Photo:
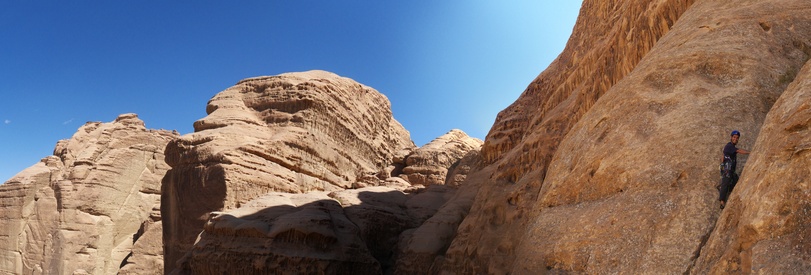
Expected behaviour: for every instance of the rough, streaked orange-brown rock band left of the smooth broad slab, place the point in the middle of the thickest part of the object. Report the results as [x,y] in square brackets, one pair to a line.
[608,41]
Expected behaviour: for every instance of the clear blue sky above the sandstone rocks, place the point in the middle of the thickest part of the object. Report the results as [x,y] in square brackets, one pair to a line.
[442,64]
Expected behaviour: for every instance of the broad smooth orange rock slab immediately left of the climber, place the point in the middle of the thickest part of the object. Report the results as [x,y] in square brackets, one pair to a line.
[631,186]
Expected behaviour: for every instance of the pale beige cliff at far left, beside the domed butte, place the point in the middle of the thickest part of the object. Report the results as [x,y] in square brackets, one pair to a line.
[89,208]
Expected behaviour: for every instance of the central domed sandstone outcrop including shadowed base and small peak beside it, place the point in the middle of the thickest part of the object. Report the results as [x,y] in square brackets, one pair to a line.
[298,133]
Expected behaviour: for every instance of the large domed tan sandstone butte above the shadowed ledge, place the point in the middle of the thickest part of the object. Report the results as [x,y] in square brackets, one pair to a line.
[292,133]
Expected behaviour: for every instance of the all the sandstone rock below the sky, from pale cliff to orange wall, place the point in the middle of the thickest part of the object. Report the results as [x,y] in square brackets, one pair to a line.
[607,163]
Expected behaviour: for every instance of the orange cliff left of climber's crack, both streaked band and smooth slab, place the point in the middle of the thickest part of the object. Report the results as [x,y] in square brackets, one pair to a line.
[609,165]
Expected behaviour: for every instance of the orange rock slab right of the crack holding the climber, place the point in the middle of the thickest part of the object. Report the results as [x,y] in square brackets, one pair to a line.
[766,228]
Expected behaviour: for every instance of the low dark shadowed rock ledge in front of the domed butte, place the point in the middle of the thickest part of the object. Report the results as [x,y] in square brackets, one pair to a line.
[342,232]
